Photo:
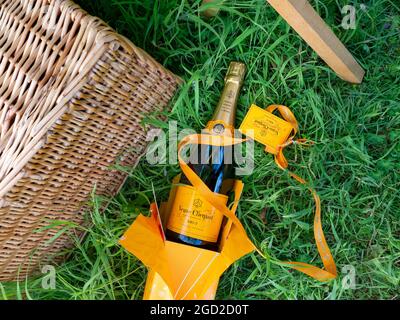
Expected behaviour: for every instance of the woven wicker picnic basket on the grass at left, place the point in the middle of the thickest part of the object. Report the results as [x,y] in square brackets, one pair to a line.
[72,97]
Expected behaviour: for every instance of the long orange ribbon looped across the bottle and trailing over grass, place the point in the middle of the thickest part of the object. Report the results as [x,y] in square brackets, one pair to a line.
[220,141]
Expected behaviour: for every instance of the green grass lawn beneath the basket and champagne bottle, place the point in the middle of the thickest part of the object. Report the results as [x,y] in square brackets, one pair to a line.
[354,164]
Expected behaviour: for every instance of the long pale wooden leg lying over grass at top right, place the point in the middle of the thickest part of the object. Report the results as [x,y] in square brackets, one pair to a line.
[302,17]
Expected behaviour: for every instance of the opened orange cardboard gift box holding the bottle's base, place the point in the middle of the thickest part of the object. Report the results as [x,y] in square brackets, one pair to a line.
[178,271]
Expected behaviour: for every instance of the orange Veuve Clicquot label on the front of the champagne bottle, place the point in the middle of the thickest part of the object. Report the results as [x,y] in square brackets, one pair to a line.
[192,216]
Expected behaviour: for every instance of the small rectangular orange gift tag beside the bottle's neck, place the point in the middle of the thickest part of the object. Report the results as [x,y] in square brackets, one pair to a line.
[266,128]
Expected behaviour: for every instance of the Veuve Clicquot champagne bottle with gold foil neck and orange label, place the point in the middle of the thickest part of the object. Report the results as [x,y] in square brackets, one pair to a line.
[192,220]
